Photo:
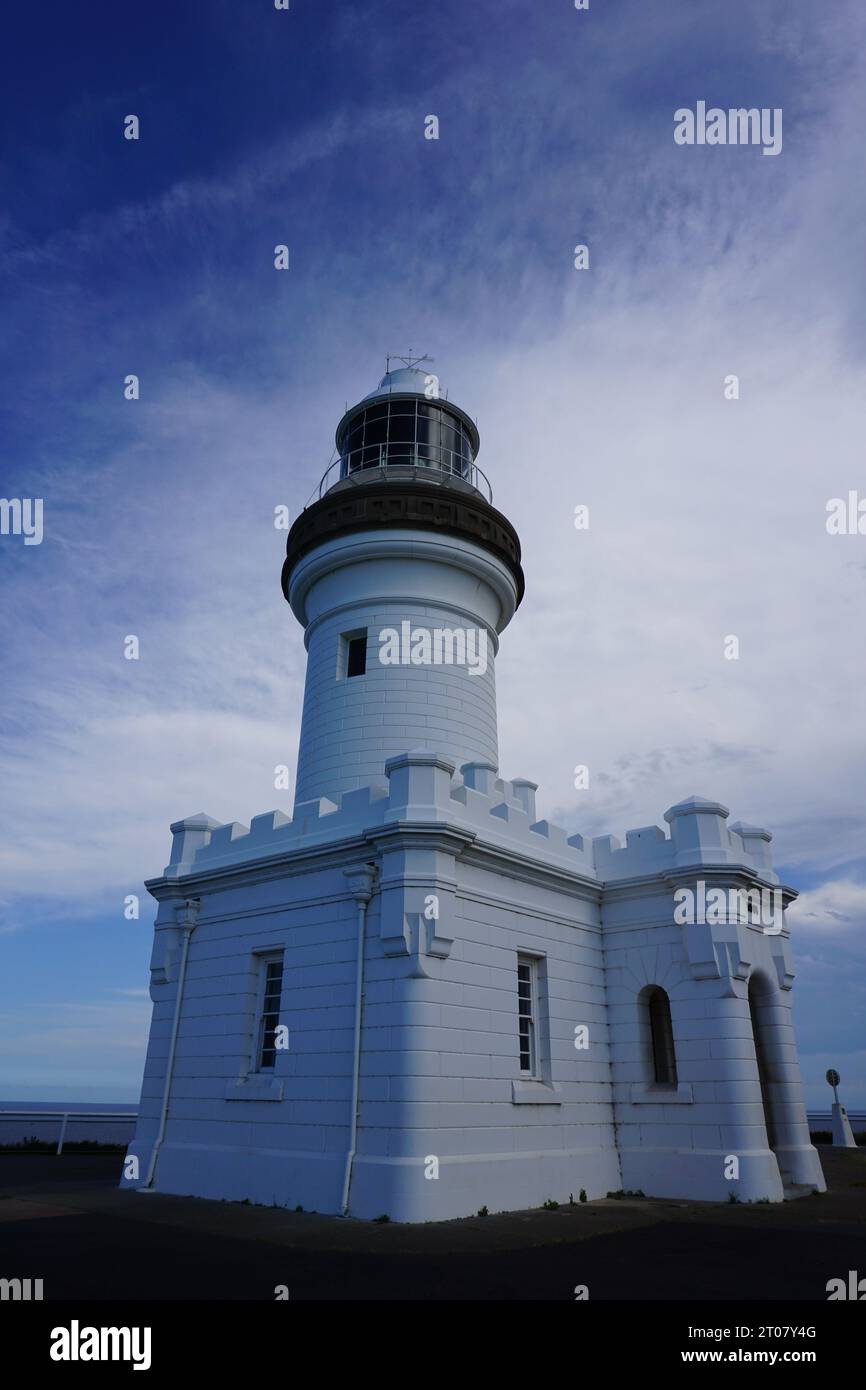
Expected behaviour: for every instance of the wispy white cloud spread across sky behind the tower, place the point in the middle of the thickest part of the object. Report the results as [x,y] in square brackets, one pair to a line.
[708,516]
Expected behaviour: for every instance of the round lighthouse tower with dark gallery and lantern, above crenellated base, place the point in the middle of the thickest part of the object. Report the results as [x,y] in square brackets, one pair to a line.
[404,546]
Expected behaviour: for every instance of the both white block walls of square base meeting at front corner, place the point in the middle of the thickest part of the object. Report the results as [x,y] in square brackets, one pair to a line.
[440,1058]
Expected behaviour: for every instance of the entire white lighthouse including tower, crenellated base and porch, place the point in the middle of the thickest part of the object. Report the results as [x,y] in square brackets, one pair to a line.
[408,993]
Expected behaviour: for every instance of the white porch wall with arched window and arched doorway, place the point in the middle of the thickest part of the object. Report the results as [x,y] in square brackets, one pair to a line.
[675,1143]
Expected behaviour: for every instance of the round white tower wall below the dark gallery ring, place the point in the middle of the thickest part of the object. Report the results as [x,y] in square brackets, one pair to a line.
[377,582]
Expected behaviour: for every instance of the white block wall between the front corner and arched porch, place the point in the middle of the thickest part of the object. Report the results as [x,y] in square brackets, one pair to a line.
[457,1053]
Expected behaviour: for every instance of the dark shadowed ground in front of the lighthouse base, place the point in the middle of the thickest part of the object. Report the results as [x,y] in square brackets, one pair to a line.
[65,1221]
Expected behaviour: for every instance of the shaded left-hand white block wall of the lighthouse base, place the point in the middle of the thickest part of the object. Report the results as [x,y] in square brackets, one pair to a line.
[288,1149]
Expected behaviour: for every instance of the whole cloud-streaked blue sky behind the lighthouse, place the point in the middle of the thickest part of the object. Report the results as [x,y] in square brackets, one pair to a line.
[603,389]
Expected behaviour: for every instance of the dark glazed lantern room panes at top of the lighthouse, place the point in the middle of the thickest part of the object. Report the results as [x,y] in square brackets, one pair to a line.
[416,433]
